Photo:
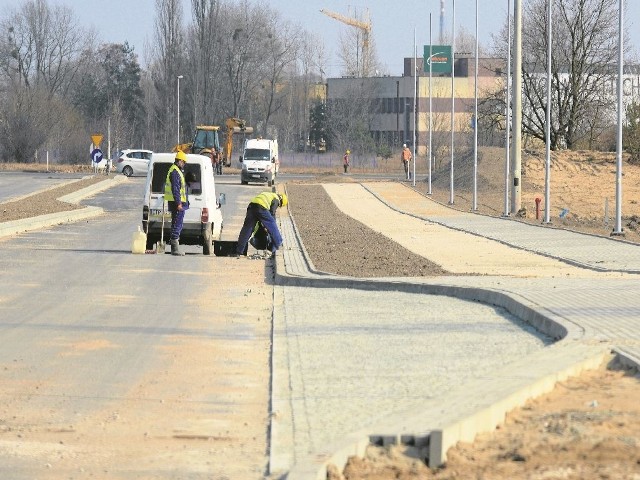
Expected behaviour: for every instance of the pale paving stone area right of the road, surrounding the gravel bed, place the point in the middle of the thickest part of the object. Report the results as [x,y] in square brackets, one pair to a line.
[353,357]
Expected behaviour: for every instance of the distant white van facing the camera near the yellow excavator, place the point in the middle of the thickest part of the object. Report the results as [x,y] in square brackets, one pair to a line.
[259,161]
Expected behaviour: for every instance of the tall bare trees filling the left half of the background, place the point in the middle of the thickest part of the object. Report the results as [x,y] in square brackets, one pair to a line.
[58,83]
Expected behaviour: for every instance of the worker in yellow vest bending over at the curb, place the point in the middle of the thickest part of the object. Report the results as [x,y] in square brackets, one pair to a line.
[262,208]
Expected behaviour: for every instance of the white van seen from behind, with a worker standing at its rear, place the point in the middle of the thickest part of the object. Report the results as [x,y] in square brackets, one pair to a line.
[202,220]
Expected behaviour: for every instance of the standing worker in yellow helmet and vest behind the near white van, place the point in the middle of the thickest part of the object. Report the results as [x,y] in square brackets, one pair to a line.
[175,192]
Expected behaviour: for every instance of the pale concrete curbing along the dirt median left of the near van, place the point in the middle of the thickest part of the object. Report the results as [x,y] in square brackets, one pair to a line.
[69,216]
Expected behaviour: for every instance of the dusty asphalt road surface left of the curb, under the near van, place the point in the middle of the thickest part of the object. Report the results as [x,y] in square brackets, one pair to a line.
[117,364]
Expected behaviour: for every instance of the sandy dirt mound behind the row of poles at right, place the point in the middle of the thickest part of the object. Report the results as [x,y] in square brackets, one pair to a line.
[582,190]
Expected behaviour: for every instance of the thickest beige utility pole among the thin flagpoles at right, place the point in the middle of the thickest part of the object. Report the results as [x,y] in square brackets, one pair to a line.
[516,153]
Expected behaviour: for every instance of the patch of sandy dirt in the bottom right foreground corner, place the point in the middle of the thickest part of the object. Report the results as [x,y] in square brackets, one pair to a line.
[587,428]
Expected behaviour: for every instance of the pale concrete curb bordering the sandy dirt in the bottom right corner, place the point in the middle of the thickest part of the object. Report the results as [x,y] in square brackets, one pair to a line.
[439,425]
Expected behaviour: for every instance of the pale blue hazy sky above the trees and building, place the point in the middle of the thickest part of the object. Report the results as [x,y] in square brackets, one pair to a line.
[393,22]
